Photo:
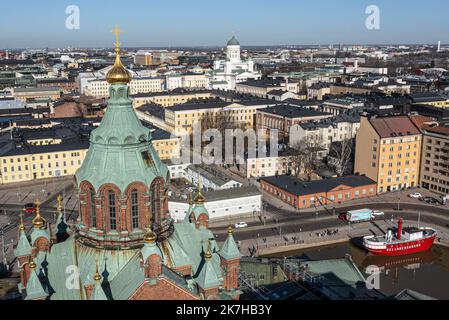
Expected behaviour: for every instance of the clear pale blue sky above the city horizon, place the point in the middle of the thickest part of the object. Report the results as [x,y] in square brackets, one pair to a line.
[193,24]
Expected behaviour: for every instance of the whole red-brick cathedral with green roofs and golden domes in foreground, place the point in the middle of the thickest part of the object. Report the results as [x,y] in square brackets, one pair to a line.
[125,245]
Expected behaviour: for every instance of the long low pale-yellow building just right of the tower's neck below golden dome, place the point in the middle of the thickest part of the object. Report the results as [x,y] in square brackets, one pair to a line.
[168,99]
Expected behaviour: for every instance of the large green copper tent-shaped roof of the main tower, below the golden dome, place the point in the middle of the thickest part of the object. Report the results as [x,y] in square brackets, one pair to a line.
[121,151]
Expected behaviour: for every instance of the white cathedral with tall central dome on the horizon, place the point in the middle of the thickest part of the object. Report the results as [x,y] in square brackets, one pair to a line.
[227,73]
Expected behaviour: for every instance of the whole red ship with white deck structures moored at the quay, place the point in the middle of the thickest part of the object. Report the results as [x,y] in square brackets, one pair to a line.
[401,241]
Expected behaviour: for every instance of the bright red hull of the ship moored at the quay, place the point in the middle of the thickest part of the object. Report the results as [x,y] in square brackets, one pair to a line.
[401,248]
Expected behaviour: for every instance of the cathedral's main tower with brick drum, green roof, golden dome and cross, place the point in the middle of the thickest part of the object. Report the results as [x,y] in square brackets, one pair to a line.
[122,181]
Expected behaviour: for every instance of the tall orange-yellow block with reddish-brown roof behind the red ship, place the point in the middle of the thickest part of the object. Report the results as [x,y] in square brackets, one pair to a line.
[388,150]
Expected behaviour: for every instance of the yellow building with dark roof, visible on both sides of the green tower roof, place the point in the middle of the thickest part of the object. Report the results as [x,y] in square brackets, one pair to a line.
[59,151]
